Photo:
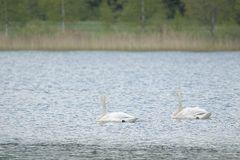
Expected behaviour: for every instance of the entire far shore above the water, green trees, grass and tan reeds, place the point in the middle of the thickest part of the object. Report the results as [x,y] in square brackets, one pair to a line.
[202,22]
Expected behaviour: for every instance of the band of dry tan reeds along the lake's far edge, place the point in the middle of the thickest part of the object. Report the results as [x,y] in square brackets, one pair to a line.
[169,41]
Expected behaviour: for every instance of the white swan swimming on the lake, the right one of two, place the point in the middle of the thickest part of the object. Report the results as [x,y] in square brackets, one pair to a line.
[189,112]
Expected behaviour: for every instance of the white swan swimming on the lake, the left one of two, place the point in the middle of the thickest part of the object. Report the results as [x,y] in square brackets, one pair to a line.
[114,116]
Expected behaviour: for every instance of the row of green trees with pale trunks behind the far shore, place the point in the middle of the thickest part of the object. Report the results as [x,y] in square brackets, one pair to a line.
[135,12]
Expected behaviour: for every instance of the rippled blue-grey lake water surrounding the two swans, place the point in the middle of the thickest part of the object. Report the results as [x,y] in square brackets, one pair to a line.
[49,102]
